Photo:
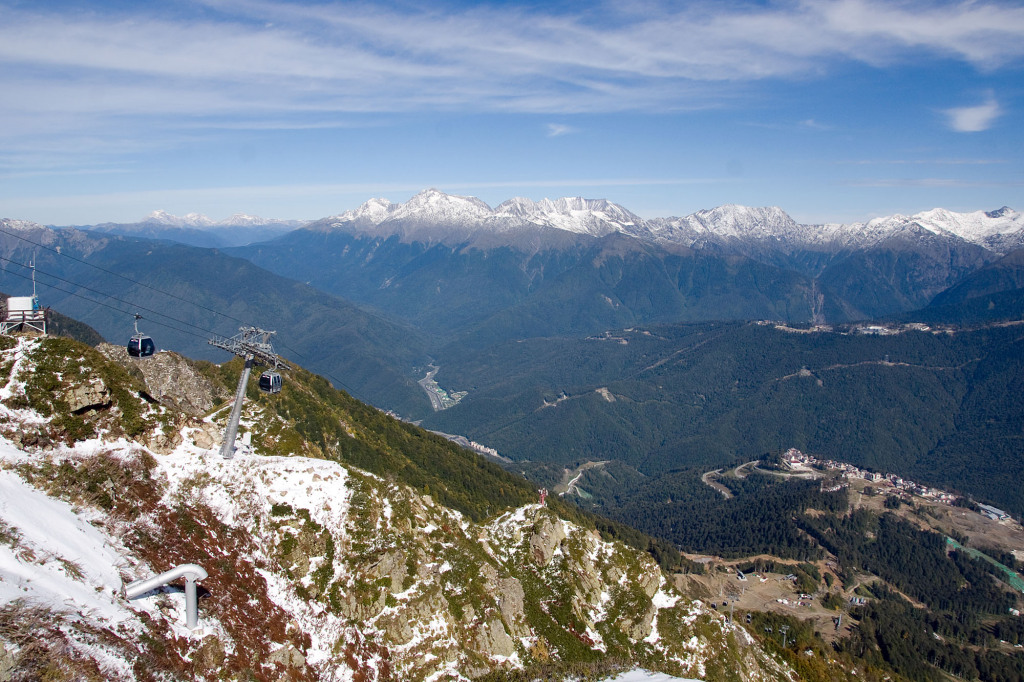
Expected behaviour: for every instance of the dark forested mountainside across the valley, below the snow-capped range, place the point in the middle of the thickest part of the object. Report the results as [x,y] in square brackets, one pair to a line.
[940,407]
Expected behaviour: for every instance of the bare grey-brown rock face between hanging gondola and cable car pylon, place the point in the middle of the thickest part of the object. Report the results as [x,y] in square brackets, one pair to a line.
[170,379]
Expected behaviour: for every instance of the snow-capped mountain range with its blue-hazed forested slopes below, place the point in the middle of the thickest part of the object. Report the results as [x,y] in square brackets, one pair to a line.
[457,268]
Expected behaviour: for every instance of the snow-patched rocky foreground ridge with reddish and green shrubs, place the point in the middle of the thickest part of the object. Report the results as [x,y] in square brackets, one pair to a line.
[318,571]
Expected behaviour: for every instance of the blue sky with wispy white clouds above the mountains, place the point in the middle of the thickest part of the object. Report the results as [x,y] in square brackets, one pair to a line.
[835,111]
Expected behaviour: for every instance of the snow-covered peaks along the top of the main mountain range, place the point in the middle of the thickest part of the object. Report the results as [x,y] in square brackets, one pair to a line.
[437,217]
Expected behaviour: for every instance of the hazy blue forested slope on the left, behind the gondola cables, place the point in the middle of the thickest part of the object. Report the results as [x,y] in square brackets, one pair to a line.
[187,294]
